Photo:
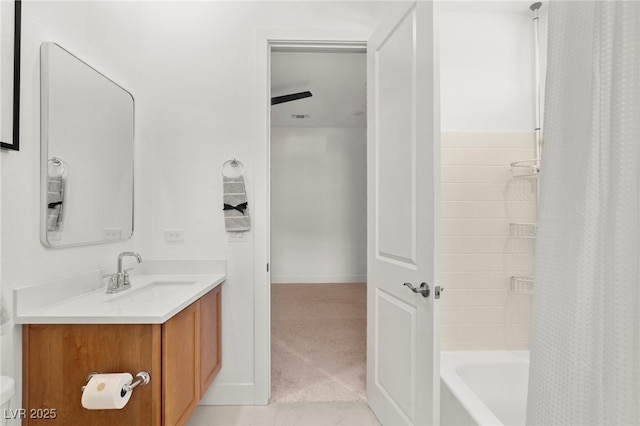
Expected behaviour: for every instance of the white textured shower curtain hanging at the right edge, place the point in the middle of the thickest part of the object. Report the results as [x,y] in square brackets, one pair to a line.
[585,347]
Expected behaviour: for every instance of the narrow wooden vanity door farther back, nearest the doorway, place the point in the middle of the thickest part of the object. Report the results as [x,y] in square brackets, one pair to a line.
[210,338]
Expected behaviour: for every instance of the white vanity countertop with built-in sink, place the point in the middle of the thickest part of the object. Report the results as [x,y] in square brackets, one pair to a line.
[157,293]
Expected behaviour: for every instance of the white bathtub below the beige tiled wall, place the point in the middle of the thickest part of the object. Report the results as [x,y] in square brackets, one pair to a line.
[483,388]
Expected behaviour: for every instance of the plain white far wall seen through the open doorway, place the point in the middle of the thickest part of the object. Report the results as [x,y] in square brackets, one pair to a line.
[318,205]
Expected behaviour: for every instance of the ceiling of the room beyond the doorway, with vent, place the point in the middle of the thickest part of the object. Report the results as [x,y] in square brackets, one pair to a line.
[336,79]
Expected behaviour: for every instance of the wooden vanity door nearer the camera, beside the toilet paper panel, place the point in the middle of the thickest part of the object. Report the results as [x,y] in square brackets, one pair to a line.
[180,365]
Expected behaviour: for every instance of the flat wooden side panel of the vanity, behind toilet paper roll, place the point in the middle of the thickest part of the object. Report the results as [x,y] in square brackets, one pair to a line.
[57,358]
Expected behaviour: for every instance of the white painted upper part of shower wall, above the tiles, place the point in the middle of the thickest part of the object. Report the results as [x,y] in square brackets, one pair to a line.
[486,54]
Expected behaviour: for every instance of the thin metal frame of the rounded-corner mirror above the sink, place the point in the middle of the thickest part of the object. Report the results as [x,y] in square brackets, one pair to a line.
[44,162]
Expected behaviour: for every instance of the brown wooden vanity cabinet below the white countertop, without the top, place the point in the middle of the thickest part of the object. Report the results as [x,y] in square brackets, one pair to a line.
[182,356]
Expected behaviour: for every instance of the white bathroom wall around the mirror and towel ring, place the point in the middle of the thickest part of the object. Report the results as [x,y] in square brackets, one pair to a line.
[192,69]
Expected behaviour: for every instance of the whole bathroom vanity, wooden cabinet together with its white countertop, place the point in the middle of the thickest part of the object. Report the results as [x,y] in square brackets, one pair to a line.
[168,325]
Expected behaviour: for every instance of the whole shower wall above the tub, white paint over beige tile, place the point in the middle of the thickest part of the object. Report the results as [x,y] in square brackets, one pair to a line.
[487,97]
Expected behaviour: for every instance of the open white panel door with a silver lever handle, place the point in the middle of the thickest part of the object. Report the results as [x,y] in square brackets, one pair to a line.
[403,348]
